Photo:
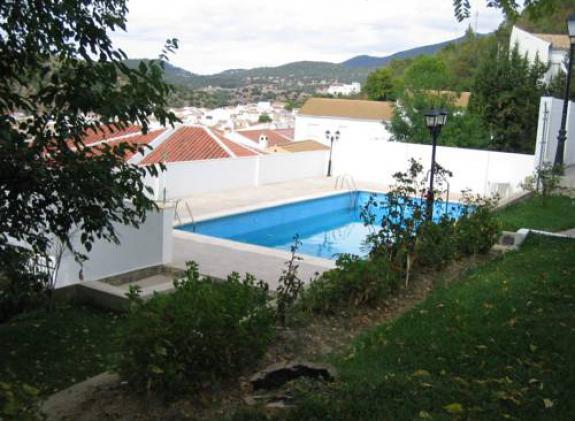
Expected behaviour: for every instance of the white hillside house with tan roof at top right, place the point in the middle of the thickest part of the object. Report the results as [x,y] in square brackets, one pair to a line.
[551,49]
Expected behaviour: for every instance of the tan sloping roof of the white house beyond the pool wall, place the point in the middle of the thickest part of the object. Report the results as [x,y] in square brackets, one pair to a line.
[348,108]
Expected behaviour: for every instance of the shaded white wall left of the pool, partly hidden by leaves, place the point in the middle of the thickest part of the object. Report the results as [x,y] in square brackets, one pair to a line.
[149,245]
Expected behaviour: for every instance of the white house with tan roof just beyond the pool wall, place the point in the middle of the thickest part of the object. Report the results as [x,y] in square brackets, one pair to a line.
[356,120]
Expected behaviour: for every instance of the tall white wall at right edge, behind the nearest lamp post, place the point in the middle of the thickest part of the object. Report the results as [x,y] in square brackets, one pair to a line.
[550,111]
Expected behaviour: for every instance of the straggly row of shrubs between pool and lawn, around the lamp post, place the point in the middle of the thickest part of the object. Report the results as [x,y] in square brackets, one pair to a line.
[405,241]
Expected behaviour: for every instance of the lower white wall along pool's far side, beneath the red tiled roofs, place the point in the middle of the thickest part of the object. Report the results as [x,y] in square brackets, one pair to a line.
[183,179]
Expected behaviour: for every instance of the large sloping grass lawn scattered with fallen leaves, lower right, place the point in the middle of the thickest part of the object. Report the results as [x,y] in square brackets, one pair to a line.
[500,344]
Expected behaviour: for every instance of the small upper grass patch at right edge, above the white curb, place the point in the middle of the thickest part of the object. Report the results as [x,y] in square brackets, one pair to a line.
[556,215]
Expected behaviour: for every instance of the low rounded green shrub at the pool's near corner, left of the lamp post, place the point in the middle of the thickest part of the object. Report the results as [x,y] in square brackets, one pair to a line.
[354,281]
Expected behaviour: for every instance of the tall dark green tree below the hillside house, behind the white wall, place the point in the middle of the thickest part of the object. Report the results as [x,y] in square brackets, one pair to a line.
[506,95]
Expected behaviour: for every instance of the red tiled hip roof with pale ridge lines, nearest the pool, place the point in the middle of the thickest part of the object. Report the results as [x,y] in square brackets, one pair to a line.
[194,144]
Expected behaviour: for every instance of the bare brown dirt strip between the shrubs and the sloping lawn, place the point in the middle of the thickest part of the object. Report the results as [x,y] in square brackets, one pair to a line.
[311,340]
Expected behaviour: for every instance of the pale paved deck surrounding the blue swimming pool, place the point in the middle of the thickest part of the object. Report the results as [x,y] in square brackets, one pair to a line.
[218,258]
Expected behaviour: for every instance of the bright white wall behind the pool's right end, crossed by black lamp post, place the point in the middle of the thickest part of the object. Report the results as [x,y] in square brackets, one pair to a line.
[478,170]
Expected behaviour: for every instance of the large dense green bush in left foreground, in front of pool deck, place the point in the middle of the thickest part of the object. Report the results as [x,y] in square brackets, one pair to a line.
[203,332]
